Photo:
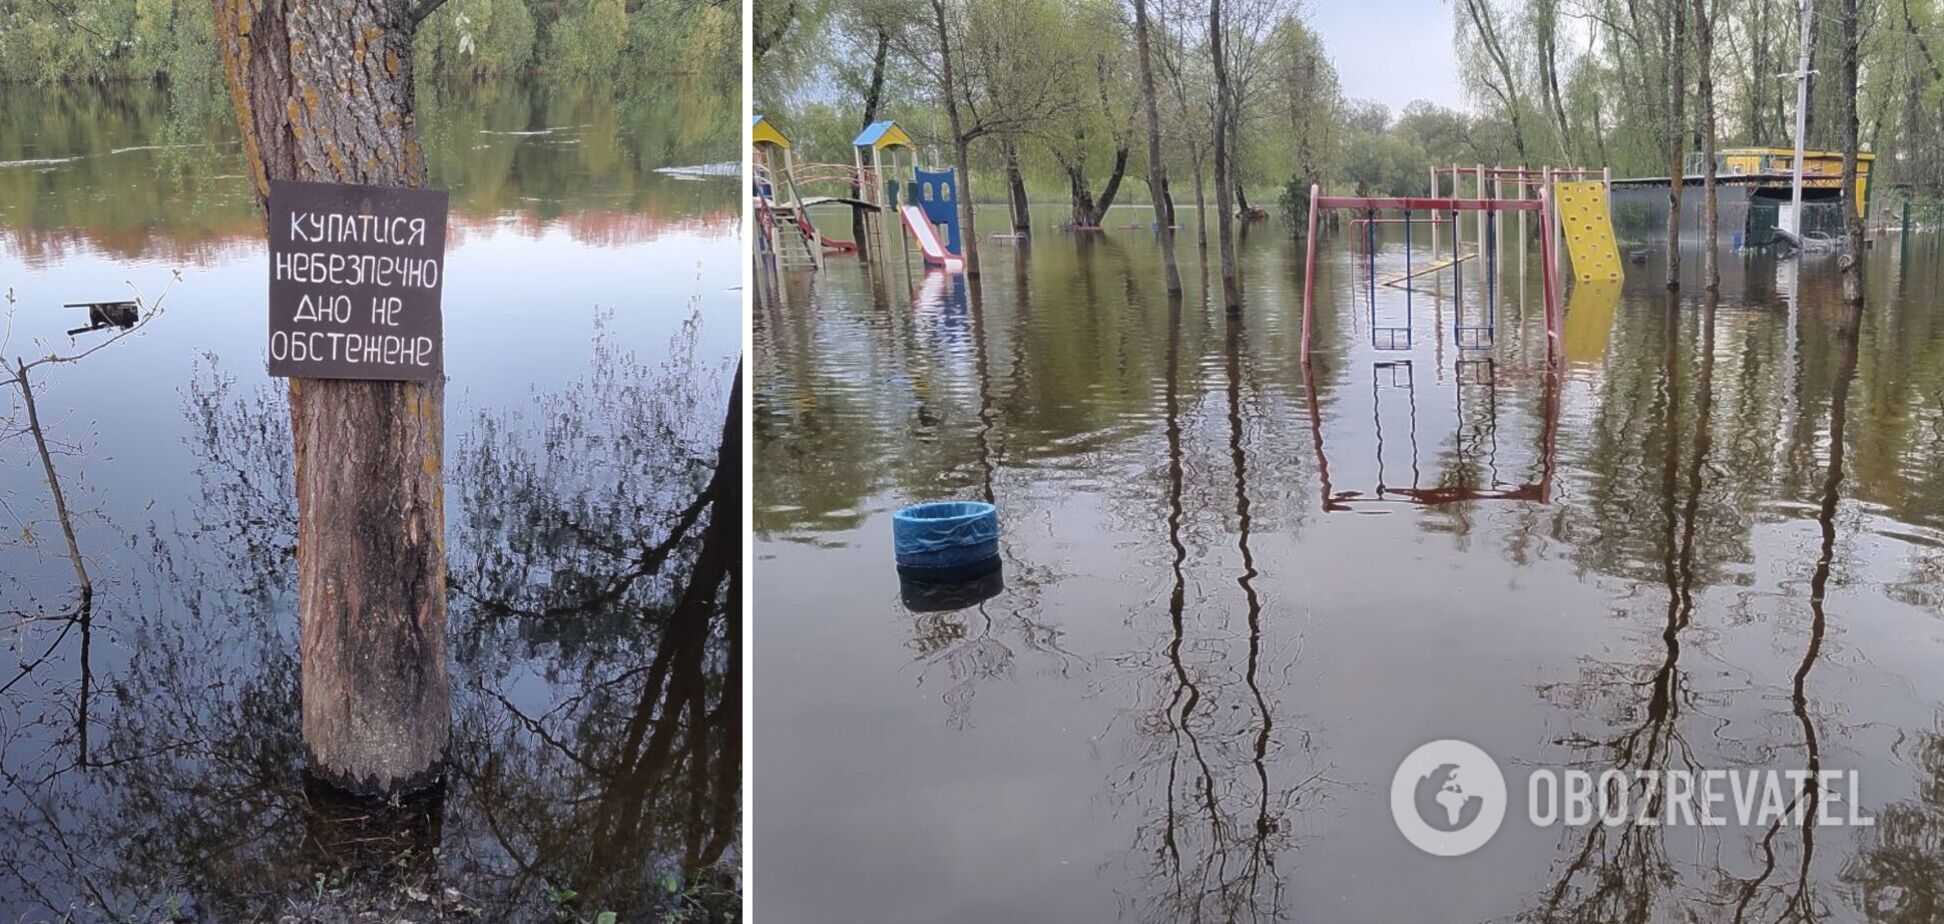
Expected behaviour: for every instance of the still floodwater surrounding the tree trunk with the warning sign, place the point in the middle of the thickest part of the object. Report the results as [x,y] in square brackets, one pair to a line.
[151,744]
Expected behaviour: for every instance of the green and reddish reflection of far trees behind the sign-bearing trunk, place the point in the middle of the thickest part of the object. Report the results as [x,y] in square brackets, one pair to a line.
[596,174]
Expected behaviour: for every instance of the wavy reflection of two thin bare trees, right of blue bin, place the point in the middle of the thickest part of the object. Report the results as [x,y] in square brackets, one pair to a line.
[1206,760]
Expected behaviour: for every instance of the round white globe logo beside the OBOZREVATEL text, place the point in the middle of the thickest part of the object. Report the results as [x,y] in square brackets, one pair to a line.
[1447,799]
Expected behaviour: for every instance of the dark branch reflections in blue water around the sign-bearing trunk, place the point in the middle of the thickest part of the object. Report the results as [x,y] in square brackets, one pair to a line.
[596,740]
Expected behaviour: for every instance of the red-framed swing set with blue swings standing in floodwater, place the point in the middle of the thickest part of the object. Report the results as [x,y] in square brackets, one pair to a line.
[1476,336]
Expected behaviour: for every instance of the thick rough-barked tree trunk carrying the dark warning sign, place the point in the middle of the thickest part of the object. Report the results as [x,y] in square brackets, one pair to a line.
[324,92]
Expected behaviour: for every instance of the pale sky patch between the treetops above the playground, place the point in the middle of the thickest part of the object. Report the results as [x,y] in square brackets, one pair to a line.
[1391,52]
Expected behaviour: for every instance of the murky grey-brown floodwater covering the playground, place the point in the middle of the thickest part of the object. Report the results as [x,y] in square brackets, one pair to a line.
[1237,590]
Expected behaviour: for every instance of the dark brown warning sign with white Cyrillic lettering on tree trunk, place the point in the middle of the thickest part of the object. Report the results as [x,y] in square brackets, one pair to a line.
[355,281]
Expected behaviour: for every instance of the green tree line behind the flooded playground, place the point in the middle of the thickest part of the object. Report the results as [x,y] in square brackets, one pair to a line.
[1237,96]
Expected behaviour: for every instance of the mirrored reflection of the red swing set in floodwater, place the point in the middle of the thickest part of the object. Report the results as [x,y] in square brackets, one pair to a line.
[1476,439]
